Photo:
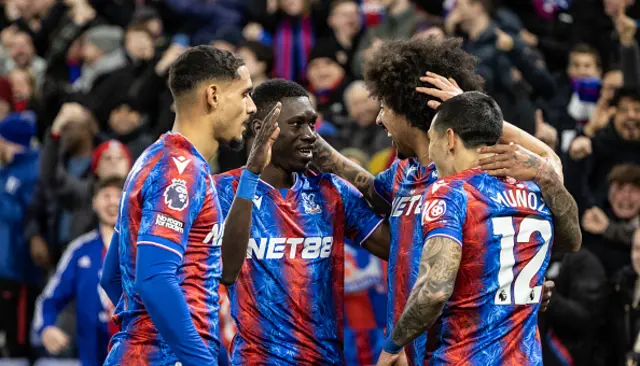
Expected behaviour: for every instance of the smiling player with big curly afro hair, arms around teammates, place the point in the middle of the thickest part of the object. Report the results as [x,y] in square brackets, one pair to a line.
[405,77]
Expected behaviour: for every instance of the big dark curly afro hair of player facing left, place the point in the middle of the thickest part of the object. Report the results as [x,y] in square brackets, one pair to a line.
[394,72]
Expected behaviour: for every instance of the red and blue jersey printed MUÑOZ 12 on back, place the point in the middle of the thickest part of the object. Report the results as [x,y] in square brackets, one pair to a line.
[506,231]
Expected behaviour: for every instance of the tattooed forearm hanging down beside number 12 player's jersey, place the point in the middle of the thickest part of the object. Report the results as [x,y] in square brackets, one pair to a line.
[438,270]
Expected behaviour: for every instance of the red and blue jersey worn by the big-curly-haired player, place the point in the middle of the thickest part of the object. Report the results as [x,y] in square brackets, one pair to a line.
[402,186]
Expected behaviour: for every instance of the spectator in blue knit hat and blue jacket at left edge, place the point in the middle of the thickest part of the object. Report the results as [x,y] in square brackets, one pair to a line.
[18,275]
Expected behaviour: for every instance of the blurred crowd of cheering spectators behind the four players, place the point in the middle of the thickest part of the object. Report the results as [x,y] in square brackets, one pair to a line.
[83,92]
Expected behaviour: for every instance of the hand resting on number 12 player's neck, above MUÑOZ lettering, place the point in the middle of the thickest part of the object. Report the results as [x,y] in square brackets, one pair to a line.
[512,161]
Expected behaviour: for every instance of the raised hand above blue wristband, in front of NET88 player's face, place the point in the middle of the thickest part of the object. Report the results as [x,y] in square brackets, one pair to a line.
[260,154]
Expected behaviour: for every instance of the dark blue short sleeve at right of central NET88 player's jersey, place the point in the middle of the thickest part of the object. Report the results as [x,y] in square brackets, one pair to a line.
[360,219]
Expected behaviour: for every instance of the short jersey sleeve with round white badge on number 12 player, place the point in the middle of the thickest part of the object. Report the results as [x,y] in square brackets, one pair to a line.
[444,211]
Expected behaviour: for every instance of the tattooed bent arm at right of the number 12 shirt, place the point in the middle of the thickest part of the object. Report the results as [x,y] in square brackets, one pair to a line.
[568,236]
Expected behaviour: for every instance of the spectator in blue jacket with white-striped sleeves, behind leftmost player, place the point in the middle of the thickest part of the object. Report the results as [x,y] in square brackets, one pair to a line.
[77,278]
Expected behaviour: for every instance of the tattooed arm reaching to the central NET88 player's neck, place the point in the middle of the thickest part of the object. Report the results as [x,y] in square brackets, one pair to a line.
[329,160]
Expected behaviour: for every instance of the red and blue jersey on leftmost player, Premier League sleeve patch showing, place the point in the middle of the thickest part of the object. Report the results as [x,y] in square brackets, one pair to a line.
[168,201]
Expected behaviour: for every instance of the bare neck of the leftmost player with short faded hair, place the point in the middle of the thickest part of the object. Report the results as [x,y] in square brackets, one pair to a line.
[191,128]
